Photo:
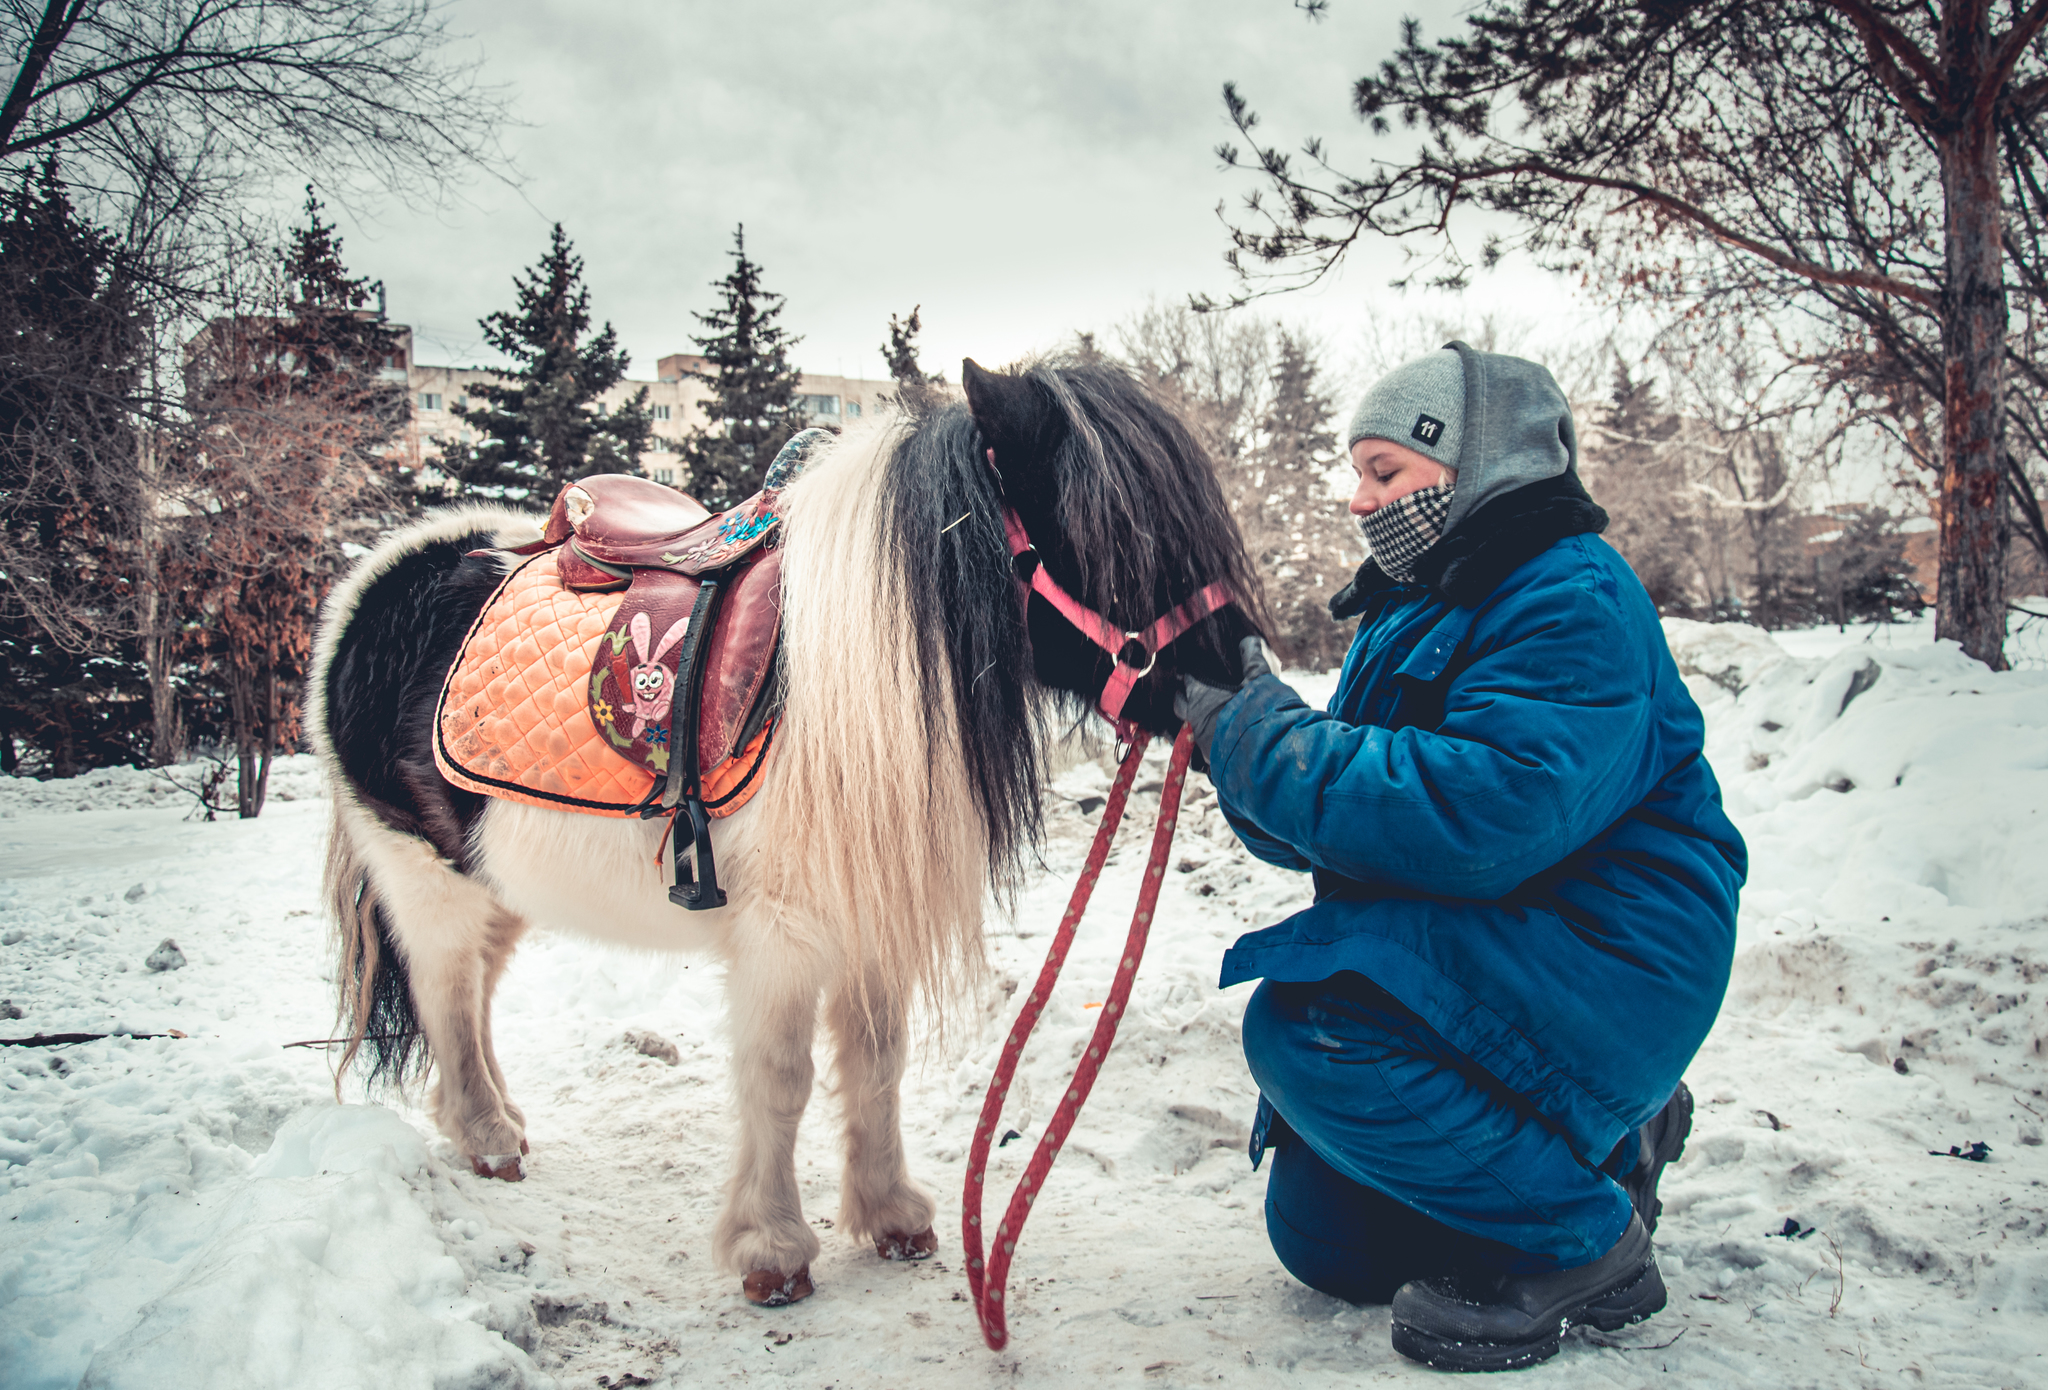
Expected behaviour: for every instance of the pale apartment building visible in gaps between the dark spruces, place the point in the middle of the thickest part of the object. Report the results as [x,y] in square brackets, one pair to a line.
[675,398]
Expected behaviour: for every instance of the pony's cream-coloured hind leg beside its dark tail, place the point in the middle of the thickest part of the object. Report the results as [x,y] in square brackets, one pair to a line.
[456,939]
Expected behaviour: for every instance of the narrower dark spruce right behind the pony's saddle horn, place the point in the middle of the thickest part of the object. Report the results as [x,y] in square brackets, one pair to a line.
[753,388]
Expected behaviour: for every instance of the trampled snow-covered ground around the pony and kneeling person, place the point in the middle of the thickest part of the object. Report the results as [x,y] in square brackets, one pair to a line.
[202,1213]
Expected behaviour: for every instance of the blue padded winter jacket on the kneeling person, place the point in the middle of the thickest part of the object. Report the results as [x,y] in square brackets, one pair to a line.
[1508,816]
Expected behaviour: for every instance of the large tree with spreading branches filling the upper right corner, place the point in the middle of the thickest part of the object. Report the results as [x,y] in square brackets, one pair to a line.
[1867,179]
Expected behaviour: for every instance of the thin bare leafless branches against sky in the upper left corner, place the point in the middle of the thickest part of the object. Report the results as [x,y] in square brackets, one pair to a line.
[200,97]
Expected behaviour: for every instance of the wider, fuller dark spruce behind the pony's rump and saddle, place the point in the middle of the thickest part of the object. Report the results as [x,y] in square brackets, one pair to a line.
[544,427]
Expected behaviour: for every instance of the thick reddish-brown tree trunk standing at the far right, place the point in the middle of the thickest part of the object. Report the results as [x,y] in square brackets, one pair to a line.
[1971,599]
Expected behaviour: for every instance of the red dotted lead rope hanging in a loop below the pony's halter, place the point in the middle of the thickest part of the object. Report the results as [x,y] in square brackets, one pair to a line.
[988,1287]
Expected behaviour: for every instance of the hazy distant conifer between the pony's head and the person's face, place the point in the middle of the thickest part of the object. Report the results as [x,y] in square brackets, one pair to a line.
[1295,527]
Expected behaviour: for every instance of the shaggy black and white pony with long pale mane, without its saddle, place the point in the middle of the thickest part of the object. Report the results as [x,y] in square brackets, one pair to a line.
[902,787]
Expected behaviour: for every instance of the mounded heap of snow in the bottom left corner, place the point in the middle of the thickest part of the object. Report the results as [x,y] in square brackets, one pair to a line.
[337,1258]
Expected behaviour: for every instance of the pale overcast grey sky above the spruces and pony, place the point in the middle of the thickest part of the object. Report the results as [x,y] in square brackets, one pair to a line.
[1021,171]
